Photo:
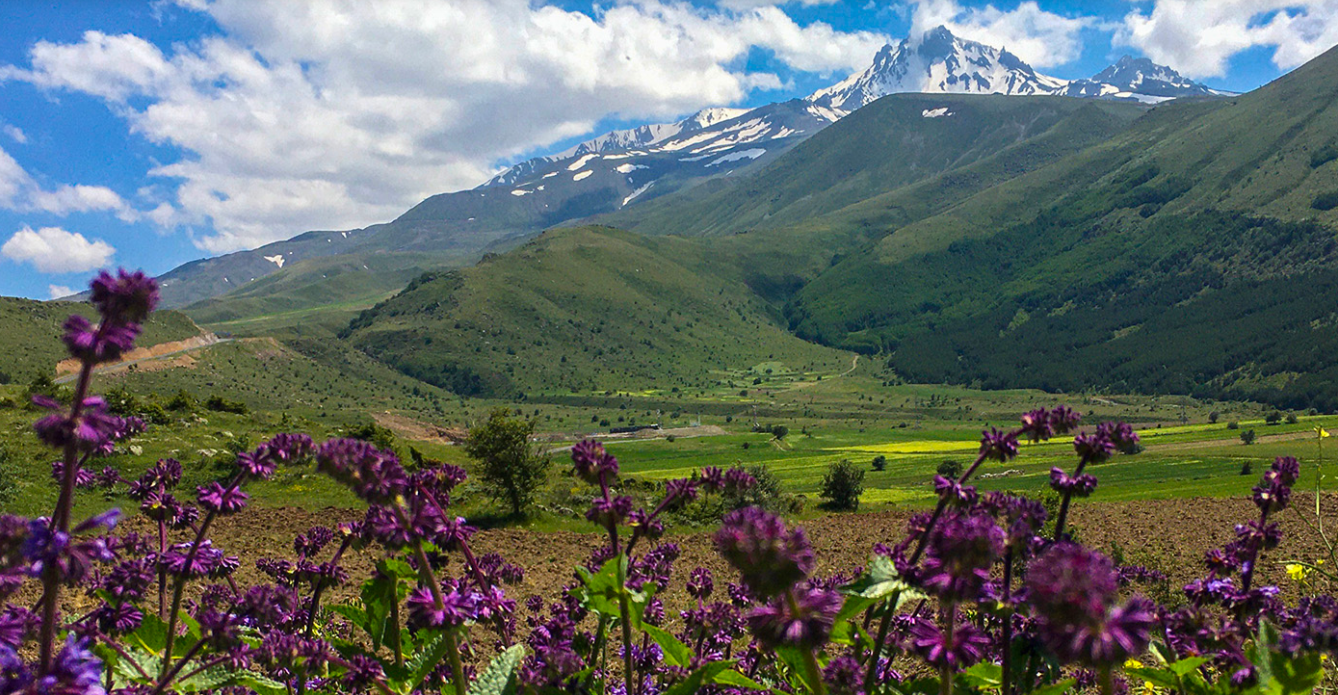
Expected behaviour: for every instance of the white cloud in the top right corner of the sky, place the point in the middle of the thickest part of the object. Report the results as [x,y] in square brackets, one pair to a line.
[1200,37]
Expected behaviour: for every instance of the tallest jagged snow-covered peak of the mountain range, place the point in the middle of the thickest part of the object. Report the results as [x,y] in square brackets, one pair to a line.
[937,62]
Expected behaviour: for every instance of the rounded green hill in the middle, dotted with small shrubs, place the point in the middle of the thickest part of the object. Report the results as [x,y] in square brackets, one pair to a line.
[584,310]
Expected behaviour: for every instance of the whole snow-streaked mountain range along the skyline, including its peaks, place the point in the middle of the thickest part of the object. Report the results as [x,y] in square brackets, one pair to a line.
[630,167]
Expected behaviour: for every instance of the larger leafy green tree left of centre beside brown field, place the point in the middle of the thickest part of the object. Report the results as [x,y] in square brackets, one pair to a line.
[509,465]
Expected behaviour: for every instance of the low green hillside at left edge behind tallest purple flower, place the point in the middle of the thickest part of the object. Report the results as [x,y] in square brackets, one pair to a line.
[30,335]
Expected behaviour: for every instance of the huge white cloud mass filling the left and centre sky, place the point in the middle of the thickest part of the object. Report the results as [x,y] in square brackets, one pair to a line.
[314,114]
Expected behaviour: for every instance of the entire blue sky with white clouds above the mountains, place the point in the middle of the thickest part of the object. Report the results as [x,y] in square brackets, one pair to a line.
[156,133]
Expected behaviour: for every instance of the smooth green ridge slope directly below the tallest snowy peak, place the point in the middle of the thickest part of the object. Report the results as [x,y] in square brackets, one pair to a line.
[886,147]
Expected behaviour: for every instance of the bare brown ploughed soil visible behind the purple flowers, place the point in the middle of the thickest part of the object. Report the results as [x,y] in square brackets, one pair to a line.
[1170,536]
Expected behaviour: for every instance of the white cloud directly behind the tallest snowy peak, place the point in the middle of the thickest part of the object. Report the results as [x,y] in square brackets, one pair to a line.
[1040,38]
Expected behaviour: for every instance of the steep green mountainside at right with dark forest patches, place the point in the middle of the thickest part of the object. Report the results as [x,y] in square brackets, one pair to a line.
[1194,252]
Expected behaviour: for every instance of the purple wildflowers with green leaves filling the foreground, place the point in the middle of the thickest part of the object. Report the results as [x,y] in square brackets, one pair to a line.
[973,581]
